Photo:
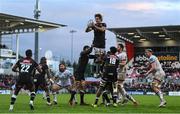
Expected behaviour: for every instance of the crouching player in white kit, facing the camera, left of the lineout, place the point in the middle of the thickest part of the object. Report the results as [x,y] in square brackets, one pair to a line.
[63,79]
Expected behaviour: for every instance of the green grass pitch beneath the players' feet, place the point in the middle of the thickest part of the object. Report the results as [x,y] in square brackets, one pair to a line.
[148,104]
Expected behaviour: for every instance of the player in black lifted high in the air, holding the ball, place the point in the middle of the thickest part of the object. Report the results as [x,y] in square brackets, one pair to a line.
[99,29]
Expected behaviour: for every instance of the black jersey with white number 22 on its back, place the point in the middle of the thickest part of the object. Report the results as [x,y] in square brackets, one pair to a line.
[26,66]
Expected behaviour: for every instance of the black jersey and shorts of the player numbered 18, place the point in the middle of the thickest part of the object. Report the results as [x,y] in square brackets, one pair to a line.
[110,68]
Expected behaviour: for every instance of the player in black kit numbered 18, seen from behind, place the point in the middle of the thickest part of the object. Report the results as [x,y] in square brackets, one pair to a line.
[109,77]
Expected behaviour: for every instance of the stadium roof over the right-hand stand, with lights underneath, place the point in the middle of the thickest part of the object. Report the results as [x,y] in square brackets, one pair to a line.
[137,34]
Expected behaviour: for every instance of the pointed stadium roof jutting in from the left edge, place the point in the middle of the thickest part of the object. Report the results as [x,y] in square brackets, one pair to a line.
[10,24]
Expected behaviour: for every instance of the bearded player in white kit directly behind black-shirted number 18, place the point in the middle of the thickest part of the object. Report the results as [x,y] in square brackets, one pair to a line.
[122,74]
